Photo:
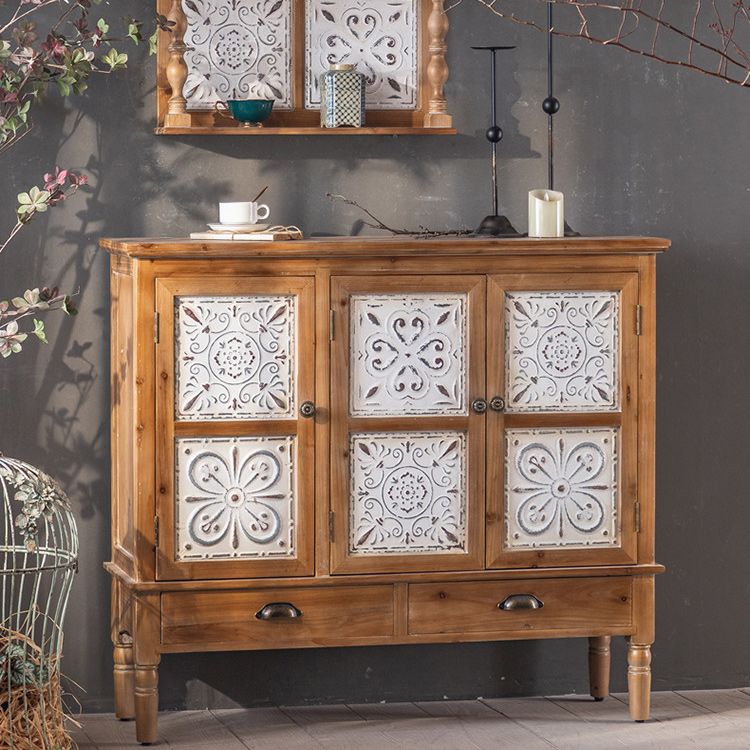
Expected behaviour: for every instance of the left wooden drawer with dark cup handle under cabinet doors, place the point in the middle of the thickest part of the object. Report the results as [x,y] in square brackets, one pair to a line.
[329,616]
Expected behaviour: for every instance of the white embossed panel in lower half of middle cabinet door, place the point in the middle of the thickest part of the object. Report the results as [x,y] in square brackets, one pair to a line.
[408,493]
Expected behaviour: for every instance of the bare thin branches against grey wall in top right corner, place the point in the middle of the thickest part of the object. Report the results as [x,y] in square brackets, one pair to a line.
[719,30]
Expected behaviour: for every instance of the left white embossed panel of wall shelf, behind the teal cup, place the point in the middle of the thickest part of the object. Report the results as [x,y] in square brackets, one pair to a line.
[238,49]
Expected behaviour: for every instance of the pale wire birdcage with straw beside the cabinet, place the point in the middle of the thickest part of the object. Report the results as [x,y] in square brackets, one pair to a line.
[38,560]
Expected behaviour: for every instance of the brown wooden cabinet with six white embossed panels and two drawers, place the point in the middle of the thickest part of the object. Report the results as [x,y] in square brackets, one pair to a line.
[349,442]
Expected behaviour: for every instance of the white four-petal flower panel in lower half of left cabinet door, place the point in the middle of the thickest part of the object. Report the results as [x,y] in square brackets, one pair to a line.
[235,498]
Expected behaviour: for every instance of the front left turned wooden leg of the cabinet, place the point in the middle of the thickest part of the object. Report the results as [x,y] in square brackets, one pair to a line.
[146,617]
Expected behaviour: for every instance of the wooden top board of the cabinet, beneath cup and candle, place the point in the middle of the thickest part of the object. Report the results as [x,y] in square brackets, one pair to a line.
[347,247]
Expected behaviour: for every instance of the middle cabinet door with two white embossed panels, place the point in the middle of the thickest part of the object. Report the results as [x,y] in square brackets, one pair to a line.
[407,449]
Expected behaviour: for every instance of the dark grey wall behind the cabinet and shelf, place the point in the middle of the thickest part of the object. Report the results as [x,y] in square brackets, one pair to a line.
[642,149]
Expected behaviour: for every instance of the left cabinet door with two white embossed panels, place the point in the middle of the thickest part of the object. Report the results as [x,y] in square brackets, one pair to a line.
[234,460]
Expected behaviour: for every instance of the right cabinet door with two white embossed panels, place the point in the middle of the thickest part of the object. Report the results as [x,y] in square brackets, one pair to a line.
[562,448]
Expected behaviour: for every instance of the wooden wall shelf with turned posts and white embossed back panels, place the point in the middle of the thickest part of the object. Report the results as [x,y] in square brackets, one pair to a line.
[418,74]
